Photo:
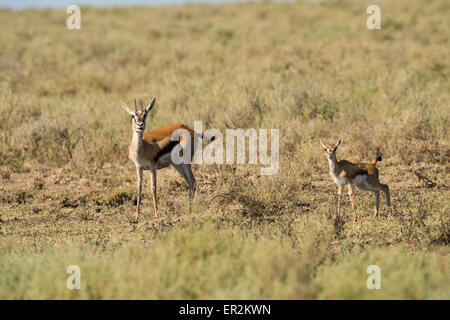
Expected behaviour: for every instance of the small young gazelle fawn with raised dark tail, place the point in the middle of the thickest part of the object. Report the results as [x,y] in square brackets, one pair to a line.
[363,176]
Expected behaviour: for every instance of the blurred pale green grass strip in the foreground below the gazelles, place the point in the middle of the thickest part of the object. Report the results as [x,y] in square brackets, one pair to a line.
[205,263]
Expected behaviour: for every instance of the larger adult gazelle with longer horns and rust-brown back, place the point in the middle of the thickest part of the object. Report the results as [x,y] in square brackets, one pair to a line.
[152,150]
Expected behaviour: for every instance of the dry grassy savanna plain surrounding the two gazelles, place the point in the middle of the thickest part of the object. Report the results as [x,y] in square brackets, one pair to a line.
[312,70]
